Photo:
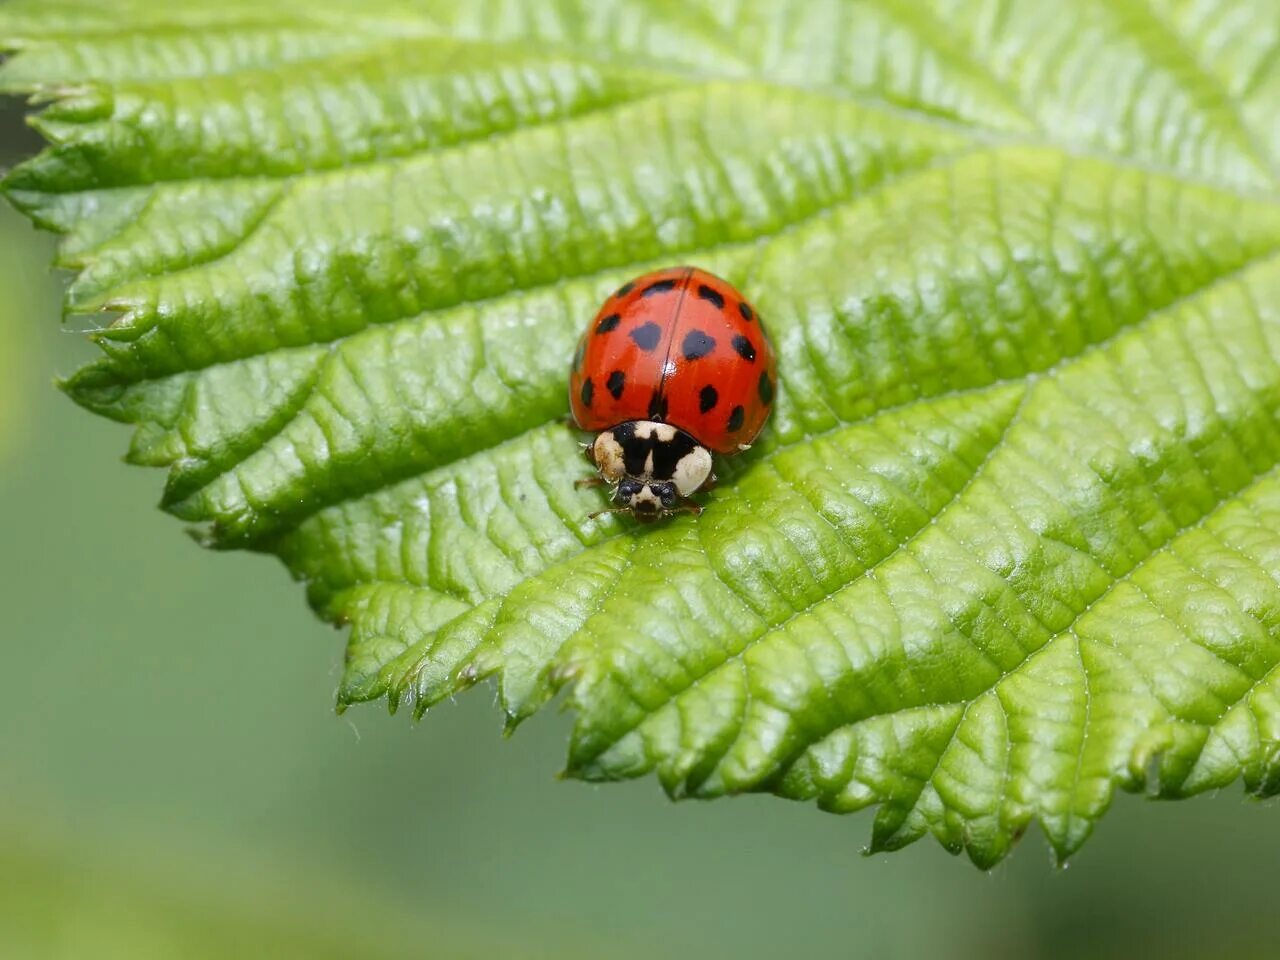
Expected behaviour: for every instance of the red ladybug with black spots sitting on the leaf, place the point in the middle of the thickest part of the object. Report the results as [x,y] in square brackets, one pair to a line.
[674,368]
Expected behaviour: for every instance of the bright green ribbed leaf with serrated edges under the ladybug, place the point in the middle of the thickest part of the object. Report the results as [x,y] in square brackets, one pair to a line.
[1013,537]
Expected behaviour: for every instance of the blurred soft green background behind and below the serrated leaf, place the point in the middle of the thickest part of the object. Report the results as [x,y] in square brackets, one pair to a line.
[175,783]
